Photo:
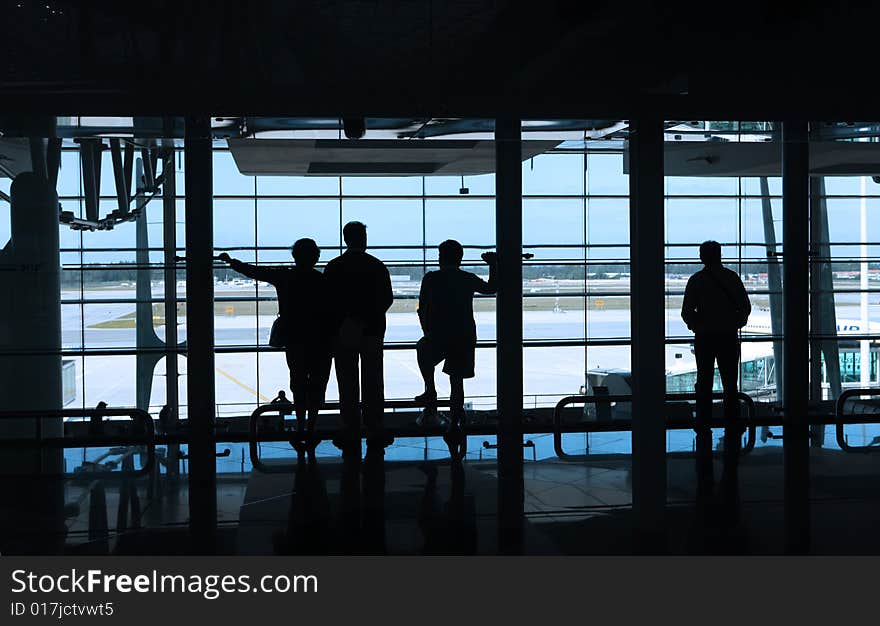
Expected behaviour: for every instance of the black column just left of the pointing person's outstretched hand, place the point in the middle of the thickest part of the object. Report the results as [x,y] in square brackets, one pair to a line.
[200,332]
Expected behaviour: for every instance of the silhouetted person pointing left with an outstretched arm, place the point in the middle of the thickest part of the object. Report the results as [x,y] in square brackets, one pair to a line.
[303,308]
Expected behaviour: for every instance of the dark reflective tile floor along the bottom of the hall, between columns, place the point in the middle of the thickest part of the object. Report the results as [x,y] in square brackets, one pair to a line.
[437,507]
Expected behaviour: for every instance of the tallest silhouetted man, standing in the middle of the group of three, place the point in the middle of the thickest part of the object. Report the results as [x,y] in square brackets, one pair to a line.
[360,288]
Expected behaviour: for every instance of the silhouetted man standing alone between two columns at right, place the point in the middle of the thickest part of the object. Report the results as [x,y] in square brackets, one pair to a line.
[715,307]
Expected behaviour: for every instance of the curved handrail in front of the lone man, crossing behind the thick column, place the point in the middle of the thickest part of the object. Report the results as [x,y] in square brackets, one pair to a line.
[620,425]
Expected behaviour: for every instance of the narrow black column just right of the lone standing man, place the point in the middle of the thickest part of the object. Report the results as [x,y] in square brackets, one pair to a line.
[796,303]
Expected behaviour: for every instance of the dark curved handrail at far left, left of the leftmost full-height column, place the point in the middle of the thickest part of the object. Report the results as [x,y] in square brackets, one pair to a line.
[141,418]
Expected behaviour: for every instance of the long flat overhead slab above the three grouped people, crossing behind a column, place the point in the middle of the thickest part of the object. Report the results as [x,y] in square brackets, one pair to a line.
[331,157]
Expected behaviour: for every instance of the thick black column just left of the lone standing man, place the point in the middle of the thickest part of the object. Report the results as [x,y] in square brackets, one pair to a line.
[648,331]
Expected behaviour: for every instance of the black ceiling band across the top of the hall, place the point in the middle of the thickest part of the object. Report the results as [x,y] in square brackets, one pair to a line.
[700,60]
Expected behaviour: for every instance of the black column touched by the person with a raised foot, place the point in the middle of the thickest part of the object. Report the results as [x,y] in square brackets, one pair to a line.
[508,233]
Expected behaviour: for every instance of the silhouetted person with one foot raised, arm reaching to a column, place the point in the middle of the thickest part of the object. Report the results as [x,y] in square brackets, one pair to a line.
[446,313]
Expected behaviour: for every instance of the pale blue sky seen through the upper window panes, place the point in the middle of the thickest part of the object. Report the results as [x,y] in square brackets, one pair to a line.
[471,219]
